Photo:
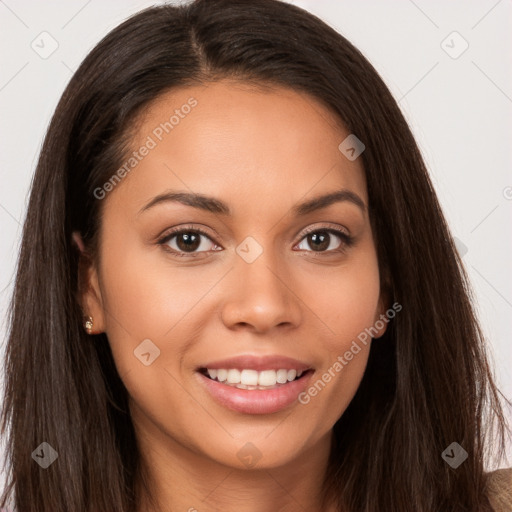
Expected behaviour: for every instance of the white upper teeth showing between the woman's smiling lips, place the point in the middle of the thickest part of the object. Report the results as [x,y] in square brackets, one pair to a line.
[253,380]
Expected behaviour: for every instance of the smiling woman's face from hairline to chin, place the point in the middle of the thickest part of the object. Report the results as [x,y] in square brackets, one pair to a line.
[250,279]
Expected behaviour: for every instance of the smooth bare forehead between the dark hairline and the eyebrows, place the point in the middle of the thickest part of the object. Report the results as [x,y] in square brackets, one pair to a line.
[244,143]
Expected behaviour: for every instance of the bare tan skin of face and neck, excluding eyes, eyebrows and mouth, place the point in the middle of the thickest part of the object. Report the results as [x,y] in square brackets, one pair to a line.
[261,152]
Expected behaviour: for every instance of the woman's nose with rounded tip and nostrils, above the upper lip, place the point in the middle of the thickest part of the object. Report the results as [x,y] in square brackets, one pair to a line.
[261,296]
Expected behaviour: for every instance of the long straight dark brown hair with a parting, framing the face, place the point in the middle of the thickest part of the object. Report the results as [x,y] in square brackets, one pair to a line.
[428,382]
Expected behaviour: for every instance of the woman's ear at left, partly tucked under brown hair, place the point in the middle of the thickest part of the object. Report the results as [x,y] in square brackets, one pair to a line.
[89,292]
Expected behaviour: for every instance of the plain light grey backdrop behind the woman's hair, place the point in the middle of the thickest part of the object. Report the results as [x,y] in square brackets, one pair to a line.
[459,110]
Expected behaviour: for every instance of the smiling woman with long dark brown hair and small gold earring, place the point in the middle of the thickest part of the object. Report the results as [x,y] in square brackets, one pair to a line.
[236,288]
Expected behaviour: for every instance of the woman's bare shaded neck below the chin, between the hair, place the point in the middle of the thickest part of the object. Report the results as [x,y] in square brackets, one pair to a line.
[178,478]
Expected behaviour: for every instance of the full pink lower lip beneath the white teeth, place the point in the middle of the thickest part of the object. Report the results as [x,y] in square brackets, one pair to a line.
[257,401]
